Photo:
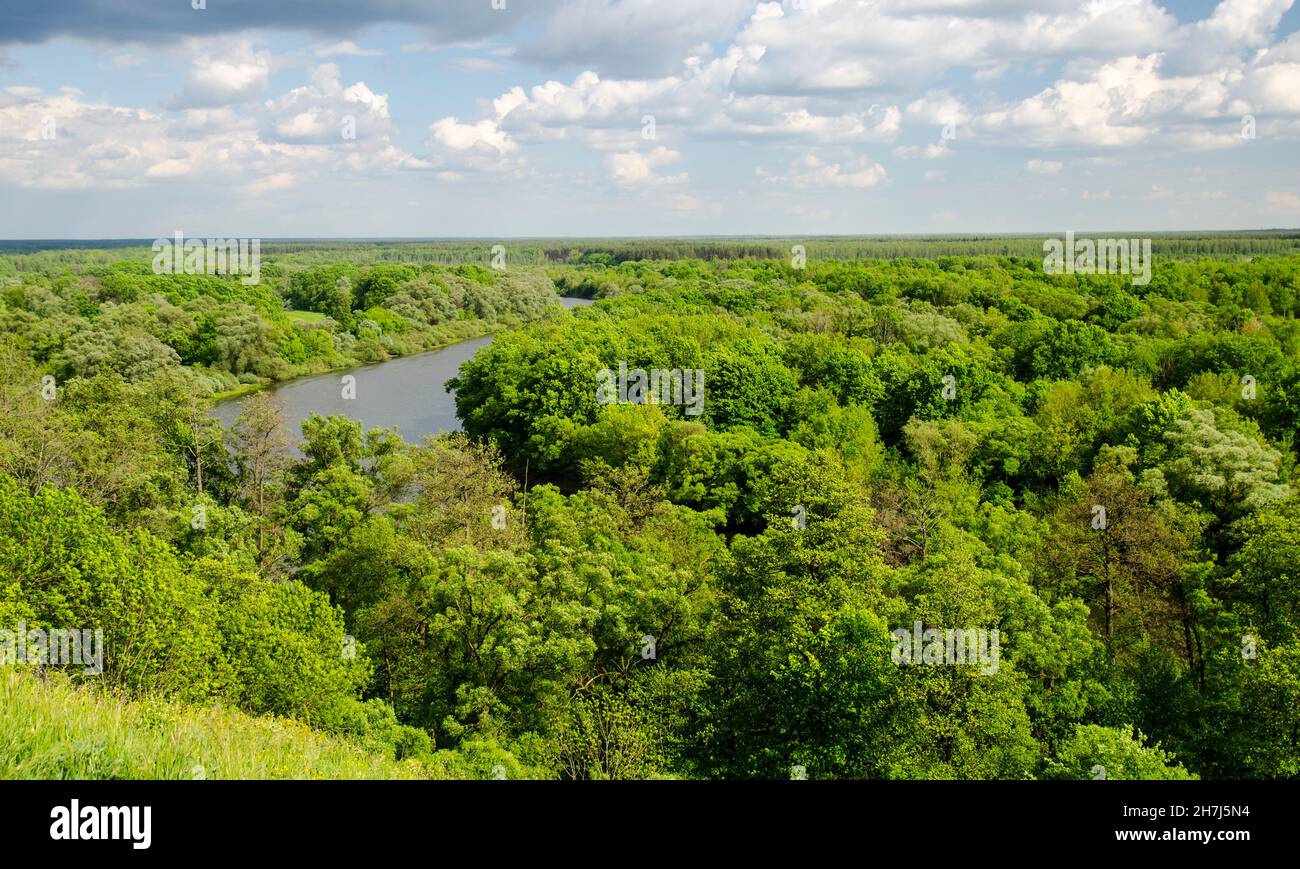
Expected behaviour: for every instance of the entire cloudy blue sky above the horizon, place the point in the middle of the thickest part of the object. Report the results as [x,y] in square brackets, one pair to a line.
[506,119]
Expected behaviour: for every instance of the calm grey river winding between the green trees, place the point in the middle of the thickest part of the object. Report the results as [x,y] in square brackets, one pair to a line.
[409,392]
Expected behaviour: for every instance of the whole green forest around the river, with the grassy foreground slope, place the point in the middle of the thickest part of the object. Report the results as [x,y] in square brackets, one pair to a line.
[895,435]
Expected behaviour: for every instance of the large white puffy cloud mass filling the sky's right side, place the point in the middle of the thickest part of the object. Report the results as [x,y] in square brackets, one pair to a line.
[1120,88]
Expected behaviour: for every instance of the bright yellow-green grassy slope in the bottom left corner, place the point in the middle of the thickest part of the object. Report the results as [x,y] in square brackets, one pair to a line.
[51,729]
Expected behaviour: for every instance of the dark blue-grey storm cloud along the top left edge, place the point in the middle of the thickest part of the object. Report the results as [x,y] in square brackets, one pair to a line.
[33,21]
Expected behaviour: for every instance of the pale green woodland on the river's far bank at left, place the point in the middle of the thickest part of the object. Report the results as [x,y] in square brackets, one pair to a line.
[79,321]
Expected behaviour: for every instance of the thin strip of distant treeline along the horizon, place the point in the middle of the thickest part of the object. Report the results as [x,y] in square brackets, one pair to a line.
[41,256]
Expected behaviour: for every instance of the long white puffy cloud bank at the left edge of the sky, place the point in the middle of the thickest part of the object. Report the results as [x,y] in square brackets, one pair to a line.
[68,142]
